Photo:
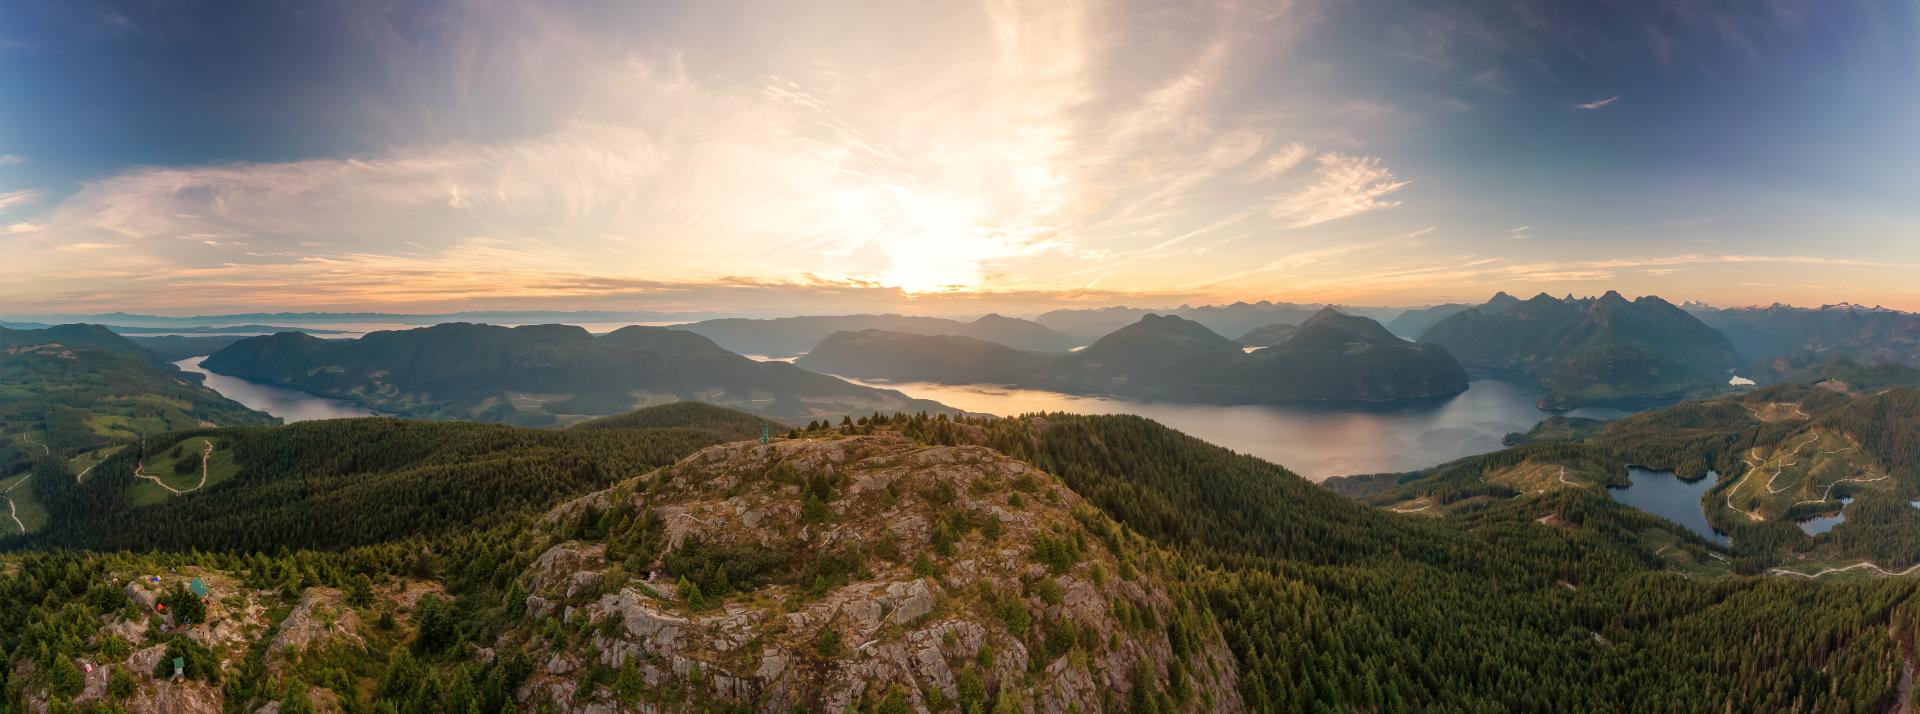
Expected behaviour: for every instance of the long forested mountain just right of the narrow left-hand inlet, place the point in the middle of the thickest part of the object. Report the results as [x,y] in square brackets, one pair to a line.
[544,373]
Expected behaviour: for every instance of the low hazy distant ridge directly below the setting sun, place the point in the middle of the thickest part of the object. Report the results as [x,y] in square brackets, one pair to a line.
[796,335]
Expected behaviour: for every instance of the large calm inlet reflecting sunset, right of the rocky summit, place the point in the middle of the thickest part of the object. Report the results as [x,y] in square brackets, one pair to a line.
[1312,440]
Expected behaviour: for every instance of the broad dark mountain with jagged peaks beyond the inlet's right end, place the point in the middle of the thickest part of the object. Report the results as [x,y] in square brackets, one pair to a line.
[1593,350]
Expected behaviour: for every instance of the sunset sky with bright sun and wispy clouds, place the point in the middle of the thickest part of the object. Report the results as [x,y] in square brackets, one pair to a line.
[178,156]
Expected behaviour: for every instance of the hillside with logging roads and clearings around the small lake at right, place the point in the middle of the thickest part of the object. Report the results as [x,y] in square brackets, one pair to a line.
[1771,458]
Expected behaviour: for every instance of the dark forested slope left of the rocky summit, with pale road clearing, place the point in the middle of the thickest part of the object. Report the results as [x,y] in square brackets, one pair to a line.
[358,481]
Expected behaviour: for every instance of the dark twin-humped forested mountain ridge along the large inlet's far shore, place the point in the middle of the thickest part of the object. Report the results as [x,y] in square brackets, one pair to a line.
[1330,358]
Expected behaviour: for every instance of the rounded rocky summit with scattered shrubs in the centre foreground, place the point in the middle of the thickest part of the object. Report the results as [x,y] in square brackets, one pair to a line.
[855,571]
